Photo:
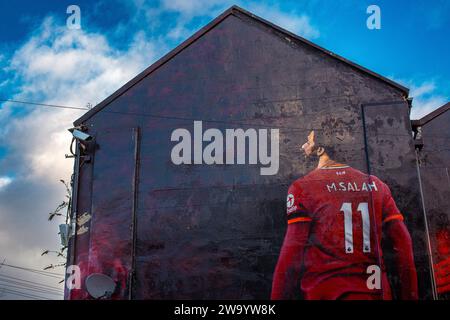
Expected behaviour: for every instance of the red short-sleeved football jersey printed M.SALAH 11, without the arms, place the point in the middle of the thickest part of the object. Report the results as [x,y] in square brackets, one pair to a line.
[346,209]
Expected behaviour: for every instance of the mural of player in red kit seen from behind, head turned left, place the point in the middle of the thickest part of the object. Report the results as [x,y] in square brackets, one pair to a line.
[336,218]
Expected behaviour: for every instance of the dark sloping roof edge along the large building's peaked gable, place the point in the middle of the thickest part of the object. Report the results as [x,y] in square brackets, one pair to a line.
[233,9]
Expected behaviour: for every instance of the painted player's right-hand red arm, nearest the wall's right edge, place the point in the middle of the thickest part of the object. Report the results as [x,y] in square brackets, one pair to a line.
[398,234]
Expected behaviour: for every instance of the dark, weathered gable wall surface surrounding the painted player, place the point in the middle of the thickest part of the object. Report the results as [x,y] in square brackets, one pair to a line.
[214,231]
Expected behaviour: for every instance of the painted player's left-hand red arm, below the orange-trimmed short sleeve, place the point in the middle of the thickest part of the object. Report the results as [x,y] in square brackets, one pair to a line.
[286,277]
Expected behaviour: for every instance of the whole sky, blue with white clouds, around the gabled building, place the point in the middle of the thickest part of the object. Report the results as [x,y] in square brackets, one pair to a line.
[43,61]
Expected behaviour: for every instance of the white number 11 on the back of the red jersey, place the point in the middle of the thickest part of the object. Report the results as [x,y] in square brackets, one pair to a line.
[363,208]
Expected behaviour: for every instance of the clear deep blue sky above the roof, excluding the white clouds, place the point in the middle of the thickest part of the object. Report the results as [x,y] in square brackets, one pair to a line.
[410,46]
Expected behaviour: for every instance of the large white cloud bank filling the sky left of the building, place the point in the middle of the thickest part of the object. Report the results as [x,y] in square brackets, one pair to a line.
[56,66]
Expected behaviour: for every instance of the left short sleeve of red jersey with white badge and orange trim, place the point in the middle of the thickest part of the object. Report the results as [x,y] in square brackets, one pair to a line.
[295,205]
